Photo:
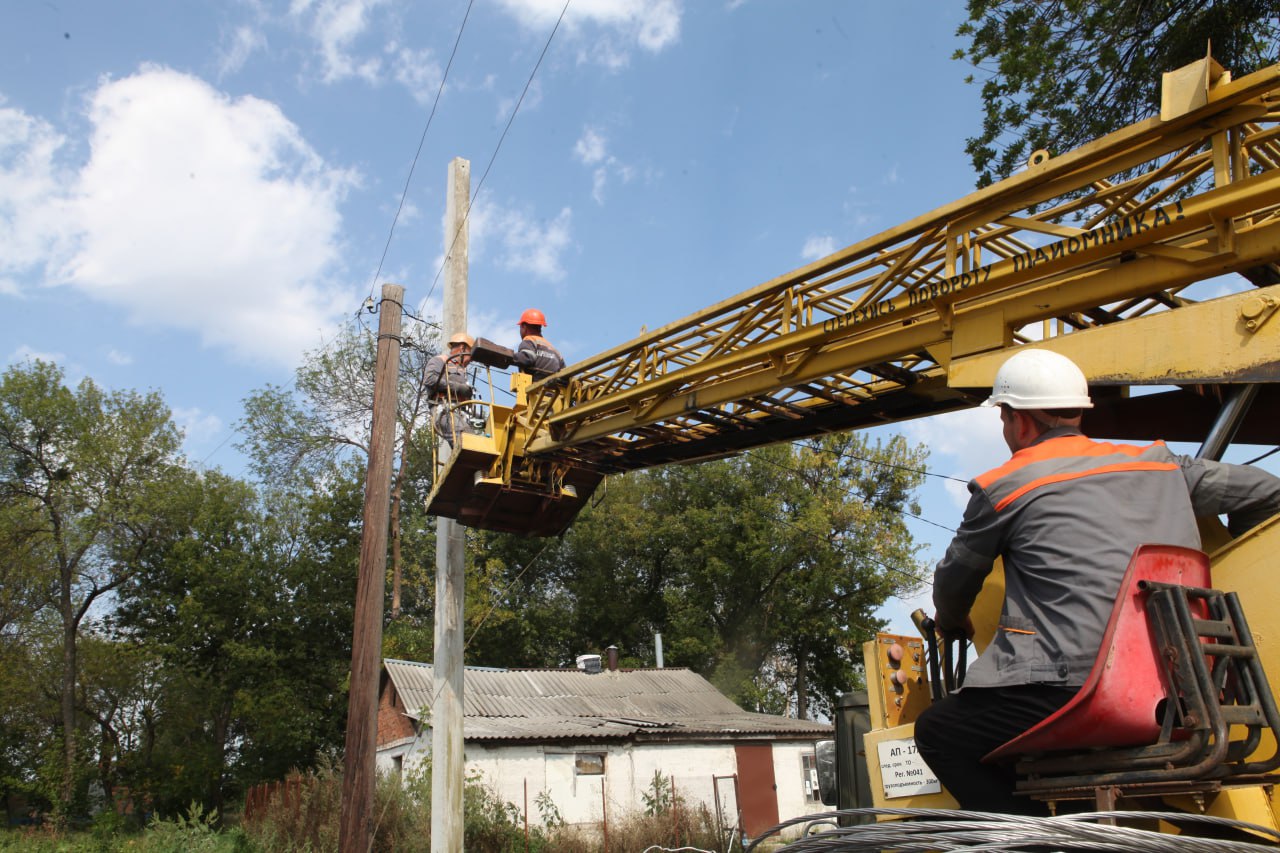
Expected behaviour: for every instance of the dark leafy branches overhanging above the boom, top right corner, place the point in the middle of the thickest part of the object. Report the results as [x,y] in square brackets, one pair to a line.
[1059,75]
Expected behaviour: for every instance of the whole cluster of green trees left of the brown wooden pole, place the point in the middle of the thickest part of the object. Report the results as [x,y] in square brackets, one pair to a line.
[167,636]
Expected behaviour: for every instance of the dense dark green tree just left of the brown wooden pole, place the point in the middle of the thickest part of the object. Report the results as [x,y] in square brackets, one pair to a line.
[245,609]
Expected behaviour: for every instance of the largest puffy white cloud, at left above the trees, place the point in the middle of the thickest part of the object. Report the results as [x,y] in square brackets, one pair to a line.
[194,212]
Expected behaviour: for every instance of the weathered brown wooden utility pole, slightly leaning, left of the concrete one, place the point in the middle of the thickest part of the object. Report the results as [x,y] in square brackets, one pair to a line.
[355,834]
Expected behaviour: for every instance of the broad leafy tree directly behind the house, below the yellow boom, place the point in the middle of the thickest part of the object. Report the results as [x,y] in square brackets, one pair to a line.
[761,572]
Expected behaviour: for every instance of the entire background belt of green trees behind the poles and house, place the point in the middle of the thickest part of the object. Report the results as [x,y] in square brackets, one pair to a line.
[198,627]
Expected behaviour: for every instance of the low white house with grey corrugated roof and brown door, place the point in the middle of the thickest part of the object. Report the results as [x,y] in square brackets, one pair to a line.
[593,740]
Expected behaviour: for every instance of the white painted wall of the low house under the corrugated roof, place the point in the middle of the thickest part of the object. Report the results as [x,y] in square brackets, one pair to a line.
[520,773]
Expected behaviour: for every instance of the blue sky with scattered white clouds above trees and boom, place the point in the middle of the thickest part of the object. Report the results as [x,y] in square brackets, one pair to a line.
[194,195]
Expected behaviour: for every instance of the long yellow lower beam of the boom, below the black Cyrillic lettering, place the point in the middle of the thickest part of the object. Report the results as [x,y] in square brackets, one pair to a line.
[912,322]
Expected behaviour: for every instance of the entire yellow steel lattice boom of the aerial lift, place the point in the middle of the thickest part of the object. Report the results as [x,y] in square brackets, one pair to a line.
[1067,239]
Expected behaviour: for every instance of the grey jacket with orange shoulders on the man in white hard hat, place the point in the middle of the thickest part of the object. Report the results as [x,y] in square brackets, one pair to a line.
[1067,514]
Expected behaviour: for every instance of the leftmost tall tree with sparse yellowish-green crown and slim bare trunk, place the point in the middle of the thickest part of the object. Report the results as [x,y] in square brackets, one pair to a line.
[88,469]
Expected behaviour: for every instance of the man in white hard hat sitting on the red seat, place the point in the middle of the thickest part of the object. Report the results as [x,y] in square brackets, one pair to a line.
[1066,513]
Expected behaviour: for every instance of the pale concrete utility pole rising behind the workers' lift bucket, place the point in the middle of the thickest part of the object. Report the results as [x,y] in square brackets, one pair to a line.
[447,778]
